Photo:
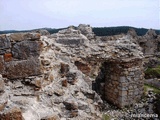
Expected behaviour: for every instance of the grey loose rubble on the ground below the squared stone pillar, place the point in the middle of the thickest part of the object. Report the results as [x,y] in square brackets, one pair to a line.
[144,107]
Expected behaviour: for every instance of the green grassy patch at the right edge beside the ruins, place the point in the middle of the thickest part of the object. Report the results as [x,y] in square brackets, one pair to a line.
[153,72]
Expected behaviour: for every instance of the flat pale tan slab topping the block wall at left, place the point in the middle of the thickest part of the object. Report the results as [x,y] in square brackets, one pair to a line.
[24,36]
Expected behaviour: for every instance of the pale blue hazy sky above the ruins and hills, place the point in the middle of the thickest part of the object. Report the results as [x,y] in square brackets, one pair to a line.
[30,14]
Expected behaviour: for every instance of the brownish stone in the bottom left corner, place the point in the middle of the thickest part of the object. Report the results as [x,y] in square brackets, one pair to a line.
[13,114]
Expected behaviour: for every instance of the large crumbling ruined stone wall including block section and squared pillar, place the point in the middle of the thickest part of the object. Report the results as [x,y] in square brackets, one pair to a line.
[54,76]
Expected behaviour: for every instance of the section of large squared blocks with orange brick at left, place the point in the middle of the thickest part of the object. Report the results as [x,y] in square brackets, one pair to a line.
[19,54]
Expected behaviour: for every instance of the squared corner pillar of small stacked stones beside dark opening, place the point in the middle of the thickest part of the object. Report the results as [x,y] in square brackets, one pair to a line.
[124,82]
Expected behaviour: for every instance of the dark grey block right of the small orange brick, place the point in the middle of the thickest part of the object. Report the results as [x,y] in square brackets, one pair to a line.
[26,49]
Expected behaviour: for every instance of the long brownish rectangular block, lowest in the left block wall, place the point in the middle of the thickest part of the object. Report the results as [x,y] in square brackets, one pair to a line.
[21,69]
